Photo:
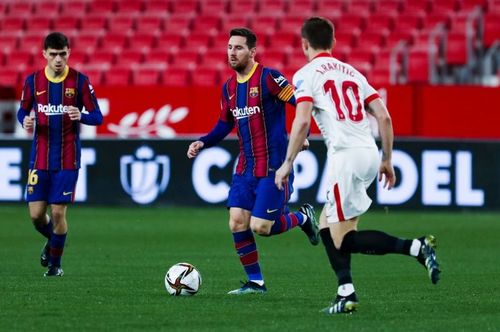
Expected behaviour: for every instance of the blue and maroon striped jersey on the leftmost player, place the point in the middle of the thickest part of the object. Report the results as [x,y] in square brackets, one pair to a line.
[56,142]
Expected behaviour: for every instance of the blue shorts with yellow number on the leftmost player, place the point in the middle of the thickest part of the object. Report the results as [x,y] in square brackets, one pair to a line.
[52,187]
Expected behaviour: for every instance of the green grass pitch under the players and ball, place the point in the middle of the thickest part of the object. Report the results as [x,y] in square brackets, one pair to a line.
[116,258]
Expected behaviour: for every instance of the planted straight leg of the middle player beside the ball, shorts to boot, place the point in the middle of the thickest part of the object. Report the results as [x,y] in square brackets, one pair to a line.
[240,203]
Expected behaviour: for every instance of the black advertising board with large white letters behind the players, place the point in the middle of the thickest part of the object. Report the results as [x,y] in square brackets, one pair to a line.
[449,175]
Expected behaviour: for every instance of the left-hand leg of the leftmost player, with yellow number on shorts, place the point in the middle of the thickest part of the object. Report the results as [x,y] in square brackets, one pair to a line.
[37,192]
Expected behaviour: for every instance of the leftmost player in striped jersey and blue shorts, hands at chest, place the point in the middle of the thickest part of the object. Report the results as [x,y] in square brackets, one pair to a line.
[56,95]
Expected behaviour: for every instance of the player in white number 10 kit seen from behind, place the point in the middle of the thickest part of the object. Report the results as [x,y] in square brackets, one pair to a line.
[339,98]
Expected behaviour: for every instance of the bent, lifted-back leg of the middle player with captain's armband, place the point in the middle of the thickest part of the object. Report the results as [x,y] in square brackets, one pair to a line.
[271,216]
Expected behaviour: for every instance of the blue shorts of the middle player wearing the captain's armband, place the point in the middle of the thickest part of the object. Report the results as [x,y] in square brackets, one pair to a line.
[259,195]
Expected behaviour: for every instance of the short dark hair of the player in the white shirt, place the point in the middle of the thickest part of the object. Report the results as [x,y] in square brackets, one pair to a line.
[319,32]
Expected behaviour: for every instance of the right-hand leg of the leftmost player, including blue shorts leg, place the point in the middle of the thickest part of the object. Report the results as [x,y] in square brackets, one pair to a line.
[62,193]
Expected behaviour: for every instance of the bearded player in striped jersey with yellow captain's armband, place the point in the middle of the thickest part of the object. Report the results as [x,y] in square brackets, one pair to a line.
[253,100]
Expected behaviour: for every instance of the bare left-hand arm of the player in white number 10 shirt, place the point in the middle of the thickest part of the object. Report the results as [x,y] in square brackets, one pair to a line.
[300,129]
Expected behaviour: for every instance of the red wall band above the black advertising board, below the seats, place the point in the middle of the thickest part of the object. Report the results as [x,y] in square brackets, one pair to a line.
[166,112]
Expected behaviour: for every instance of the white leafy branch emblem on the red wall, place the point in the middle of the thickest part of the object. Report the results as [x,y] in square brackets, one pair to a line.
[150,123]
